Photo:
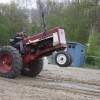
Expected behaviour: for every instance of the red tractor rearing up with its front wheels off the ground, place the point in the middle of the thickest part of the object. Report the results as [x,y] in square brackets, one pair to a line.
[30,63]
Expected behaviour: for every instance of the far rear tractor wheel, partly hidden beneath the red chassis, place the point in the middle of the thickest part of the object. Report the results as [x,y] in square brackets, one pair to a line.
[32,68]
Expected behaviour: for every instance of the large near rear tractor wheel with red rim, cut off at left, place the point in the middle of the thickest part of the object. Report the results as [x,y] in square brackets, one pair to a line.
[10,62]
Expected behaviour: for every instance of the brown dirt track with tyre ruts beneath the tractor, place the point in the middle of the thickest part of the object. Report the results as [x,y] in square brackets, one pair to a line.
[53,83]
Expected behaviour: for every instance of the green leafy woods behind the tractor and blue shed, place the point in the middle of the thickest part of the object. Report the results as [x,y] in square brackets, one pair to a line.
[80,18]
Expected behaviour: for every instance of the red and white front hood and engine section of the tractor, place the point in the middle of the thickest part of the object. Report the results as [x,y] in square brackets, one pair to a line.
[46,43]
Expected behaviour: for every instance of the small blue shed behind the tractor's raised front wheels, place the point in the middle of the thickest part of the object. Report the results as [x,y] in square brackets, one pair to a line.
[77,50]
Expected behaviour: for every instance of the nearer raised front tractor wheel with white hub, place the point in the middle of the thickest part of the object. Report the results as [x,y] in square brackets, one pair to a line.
[62,59]
